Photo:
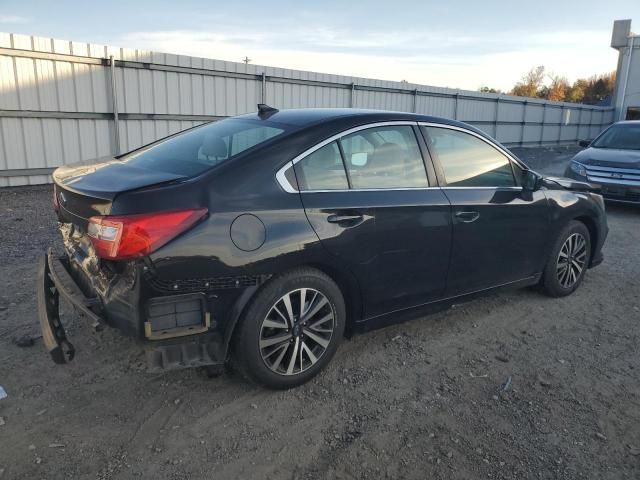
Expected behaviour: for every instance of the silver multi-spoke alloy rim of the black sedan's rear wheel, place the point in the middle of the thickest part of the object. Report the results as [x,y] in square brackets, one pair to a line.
[297,331]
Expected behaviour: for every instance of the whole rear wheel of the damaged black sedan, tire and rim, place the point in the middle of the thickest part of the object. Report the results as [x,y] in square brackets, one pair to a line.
[291,329]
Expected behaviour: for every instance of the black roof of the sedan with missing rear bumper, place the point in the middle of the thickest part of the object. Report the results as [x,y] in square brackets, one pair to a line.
[303,117]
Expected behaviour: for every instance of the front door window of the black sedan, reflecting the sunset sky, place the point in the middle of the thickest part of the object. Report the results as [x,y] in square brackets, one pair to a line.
[468,161]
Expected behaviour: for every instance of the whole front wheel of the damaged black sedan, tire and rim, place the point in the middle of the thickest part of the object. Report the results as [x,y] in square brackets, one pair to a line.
[568,262]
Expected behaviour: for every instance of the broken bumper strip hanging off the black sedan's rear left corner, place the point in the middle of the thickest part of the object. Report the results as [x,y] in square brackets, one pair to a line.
[54,280]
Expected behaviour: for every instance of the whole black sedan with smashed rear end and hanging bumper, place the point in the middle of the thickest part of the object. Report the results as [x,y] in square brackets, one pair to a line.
[263,239]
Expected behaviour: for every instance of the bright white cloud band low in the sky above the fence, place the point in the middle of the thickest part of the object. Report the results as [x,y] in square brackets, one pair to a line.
[425,57]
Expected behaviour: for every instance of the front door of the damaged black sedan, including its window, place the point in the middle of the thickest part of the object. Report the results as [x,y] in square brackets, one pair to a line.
[499,228]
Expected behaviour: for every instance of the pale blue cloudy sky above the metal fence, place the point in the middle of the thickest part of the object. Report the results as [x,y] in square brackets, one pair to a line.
[459,44]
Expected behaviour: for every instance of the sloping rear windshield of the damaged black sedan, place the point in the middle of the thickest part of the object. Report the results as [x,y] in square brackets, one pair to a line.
[192,152]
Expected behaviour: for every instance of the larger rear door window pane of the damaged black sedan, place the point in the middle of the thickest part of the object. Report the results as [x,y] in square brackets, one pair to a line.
[384,157]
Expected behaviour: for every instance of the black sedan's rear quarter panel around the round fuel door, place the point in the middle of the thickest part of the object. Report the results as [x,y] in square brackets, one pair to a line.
[279,231]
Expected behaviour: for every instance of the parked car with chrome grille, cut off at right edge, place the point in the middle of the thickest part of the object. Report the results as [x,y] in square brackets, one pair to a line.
[611,162]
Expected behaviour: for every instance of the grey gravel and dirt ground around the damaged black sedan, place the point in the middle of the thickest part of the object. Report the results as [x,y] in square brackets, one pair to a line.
[512,386]
